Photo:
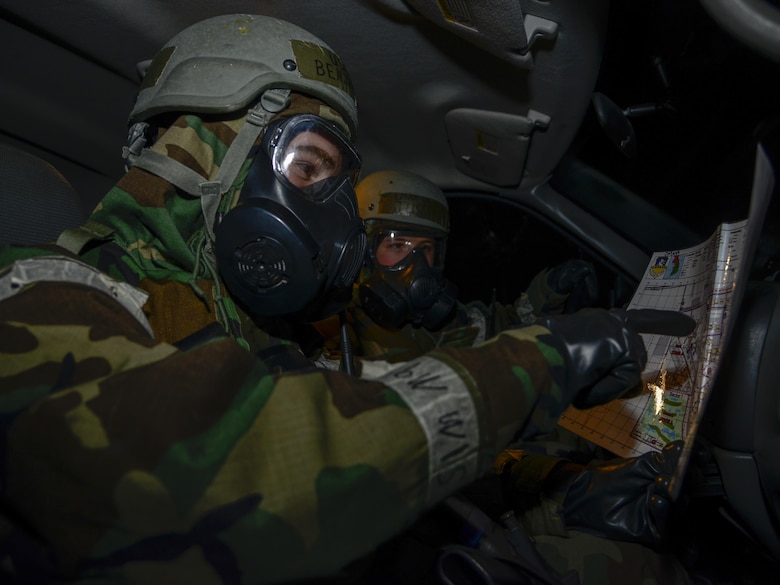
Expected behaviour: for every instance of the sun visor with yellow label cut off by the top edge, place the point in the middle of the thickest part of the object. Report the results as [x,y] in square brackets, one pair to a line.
[499,27]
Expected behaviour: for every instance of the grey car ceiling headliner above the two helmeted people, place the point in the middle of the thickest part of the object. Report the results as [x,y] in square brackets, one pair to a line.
[68,92]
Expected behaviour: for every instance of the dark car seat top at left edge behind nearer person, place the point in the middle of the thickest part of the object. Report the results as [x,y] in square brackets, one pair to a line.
[37,201]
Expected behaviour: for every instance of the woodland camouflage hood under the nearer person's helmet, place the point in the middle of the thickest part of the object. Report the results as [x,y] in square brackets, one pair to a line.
[161,229]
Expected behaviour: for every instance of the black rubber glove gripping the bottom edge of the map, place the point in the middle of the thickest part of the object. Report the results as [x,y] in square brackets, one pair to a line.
[623,499]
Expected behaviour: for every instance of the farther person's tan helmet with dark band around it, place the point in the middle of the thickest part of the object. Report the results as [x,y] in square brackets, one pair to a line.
[401,197]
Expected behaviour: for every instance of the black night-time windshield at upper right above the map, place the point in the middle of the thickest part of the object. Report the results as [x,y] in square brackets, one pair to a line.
[697,101]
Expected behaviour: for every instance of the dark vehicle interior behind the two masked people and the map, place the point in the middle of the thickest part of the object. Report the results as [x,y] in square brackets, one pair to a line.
[557,129]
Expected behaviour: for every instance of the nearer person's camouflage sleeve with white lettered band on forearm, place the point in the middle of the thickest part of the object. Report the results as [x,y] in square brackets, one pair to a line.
[127,459]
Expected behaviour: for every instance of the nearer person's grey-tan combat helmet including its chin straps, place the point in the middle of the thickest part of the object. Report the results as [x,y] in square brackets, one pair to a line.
[233,63]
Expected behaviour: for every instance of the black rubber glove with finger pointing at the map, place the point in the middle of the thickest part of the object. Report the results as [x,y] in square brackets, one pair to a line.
[603,353]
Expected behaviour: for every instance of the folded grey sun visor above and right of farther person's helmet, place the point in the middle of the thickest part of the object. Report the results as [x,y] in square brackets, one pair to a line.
[492,146]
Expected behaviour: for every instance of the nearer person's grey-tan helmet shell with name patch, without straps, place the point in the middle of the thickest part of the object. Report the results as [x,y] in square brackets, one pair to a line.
[223,64]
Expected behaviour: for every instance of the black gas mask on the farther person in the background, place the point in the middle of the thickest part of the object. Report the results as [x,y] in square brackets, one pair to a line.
[411,290]
